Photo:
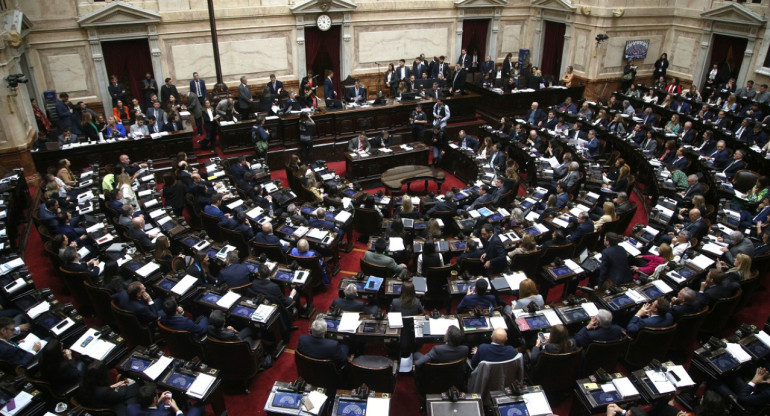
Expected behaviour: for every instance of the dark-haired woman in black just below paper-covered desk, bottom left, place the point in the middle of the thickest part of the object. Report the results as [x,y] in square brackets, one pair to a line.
[97,391]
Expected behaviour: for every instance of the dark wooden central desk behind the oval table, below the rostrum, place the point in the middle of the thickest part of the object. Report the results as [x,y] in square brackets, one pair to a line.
[367,169]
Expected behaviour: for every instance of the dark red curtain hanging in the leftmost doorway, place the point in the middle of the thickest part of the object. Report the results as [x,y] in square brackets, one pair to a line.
[129,60]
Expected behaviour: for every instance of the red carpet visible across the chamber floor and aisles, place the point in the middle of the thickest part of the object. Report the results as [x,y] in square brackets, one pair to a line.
[405,400]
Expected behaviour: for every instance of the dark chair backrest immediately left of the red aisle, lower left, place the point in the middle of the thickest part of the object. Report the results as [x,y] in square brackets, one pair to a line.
[236,360]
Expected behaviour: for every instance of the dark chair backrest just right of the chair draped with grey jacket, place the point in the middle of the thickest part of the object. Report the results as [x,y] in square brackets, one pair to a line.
[565,365]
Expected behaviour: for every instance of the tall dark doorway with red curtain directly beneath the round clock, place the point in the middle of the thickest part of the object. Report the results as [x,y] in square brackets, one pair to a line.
[322,53]
